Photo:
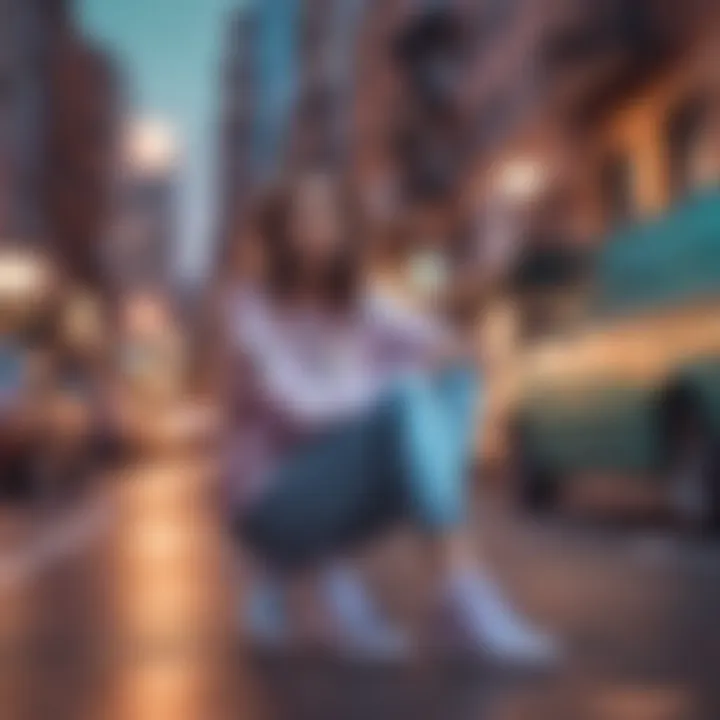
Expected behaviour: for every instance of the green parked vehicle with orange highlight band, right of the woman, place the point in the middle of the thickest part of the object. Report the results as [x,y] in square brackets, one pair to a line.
[635,388]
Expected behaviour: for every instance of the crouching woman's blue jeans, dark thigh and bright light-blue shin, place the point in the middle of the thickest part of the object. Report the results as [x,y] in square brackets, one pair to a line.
[404,460]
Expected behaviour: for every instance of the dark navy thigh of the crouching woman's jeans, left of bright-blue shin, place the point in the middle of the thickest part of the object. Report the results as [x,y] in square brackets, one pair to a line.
[324,499]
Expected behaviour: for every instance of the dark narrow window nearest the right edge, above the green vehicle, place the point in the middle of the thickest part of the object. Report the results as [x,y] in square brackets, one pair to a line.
[685,133]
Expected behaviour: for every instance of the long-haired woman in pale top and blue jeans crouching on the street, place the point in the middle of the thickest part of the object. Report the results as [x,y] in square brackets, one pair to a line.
[353,416]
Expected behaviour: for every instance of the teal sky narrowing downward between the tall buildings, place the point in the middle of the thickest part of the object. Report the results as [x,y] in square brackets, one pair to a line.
[170,51]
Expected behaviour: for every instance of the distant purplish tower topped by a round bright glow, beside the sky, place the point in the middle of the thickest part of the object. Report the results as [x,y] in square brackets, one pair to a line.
[141,253]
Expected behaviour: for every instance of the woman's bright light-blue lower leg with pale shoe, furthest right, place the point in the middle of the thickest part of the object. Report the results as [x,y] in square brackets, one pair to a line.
[436,423]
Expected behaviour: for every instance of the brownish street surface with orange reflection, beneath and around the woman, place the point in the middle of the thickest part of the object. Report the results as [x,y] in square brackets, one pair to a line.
[121,608]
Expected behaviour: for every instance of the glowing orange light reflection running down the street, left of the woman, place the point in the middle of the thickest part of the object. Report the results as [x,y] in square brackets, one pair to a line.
[170,598]
